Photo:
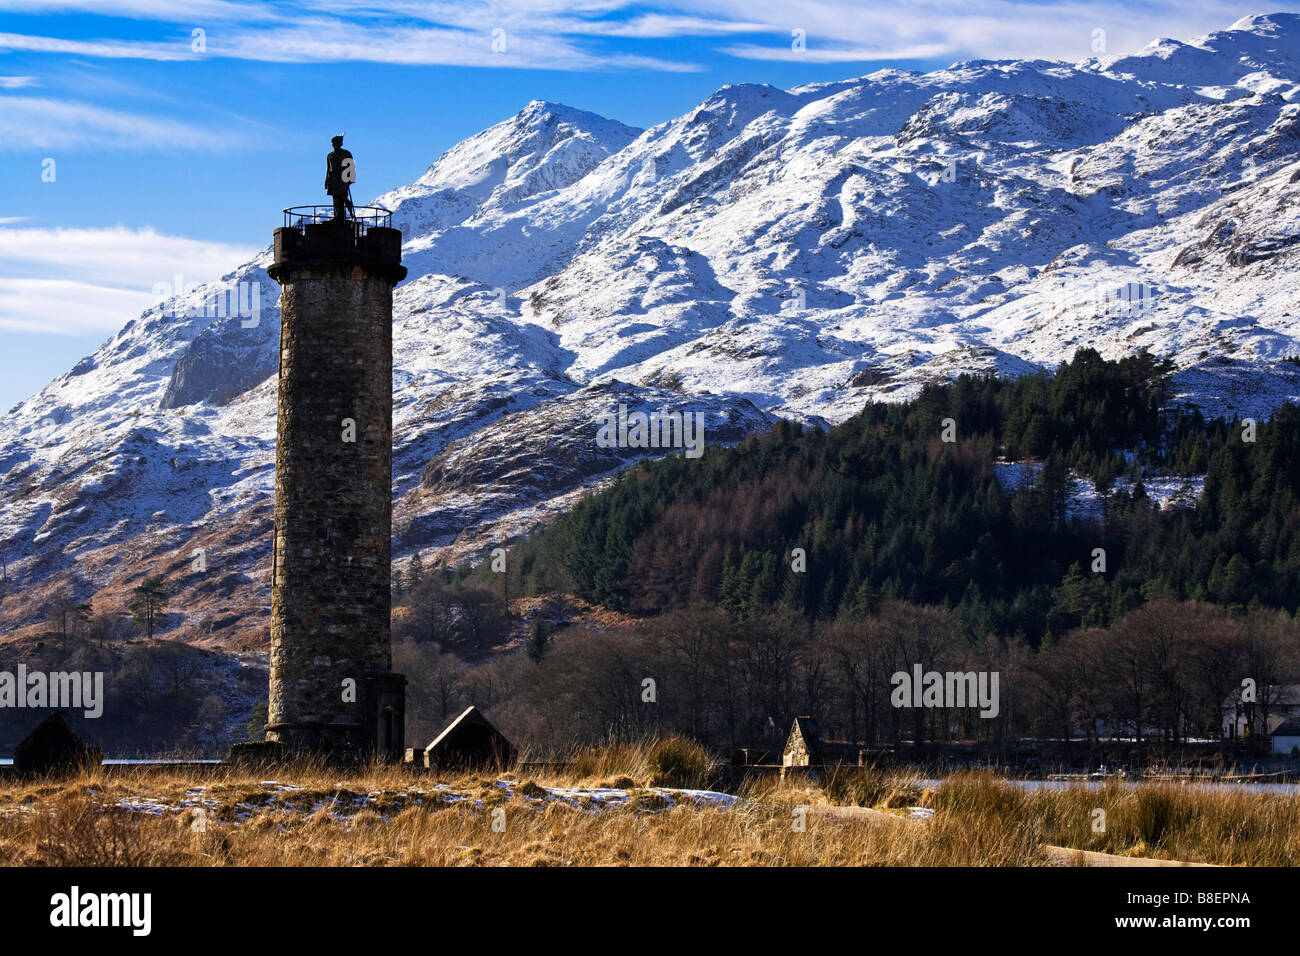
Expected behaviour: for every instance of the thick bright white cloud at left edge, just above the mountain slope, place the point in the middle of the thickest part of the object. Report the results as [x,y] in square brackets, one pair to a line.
[73,282]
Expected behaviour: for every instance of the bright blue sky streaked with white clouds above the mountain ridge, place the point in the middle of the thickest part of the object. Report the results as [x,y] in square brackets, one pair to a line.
[175,152]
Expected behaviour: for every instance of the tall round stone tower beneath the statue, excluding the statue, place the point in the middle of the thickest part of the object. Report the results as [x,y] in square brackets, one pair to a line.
[332,687]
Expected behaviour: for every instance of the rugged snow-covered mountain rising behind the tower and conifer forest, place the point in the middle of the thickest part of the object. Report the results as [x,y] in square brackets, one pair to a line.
[769,254]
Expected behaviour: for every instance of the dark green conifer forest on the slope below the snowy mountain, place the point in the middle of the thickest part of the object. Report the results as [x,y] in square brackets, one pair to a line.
[885,509]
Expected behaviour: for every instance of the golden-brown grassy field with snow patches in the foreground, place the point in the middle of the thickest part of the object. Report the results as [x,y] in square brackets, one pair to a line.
[625,806]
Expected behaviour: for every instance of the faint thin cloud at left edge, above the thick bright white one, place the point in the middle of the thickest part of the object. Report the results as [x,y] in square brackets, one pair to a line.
[47,124]
